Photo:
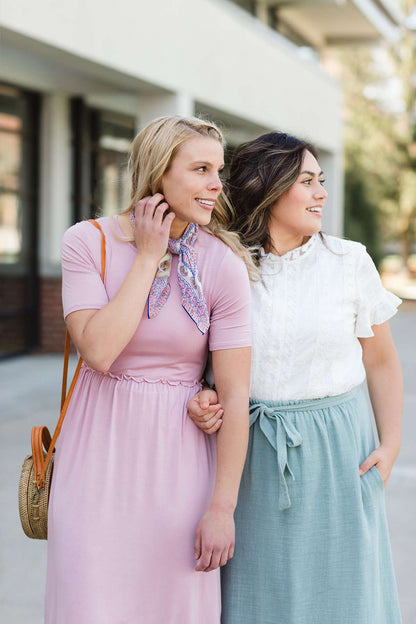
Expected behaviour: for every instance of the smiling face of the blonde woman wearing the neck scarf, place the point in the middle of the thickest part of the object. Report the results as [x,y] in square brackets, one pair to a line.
[192,183]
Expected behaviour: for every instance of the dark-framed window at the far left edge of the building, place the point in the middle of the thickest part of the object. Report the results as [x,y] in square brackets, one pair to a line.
[19,143]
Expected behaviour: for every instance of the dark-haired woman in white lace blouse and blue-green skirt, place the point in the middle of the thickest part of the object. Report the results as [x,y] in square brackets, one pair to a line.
[312,544]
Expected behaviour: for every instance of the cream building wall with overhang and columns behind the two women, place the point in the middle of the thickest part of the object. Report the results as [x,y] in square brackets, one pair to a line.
[145,59]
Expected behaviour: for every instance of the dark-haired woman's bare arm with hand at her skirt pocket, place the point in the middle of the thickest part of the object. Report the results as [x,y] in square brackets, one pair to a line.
[385,385]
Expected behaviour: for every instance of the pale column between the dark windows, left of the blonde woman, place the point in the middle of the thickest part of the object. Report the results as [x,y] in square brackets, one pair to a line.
[55,181]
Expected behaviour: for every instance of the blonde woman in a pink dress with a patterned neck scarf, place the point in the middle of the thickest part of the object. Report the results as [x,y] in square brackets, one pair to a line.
[141,510]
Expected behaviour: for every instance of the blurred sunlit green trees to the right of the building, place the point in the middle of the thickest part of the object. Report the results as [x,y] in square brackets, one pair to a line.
[380,180]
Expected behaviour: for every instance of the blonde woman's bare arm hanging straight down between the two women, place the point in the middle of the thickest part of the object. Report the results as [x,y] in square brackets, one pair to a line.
[215,535]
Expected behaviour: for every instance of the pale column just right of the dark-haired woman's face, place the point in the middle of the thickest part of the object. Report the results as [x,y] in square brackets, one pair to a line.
[332,166]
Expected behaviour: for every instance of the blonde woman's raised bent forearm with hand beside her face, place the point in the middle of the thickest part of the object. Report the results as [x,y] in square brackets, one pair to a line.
[101,335]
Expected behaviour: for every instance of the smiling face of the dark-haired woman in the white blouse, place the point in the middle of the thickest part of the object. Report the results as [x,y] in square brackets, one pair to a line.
[298,212]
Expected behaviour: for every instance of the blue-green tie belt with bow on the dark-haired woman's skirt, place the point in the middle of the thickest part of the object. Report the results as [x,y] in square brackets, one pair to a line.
[278,427]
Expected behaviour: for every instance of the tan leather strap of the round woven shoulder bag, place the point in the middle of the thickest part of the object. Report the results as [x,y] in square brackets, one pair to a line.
[40,435]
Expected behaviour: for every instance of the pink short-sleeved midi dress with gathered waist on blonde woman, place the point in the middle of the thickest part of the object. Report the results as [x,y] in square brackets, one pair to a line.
[133,475]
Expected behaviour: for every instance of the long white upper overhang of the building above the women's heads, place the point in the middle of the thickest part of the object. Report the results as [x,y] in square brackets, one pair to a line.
[214,53]
